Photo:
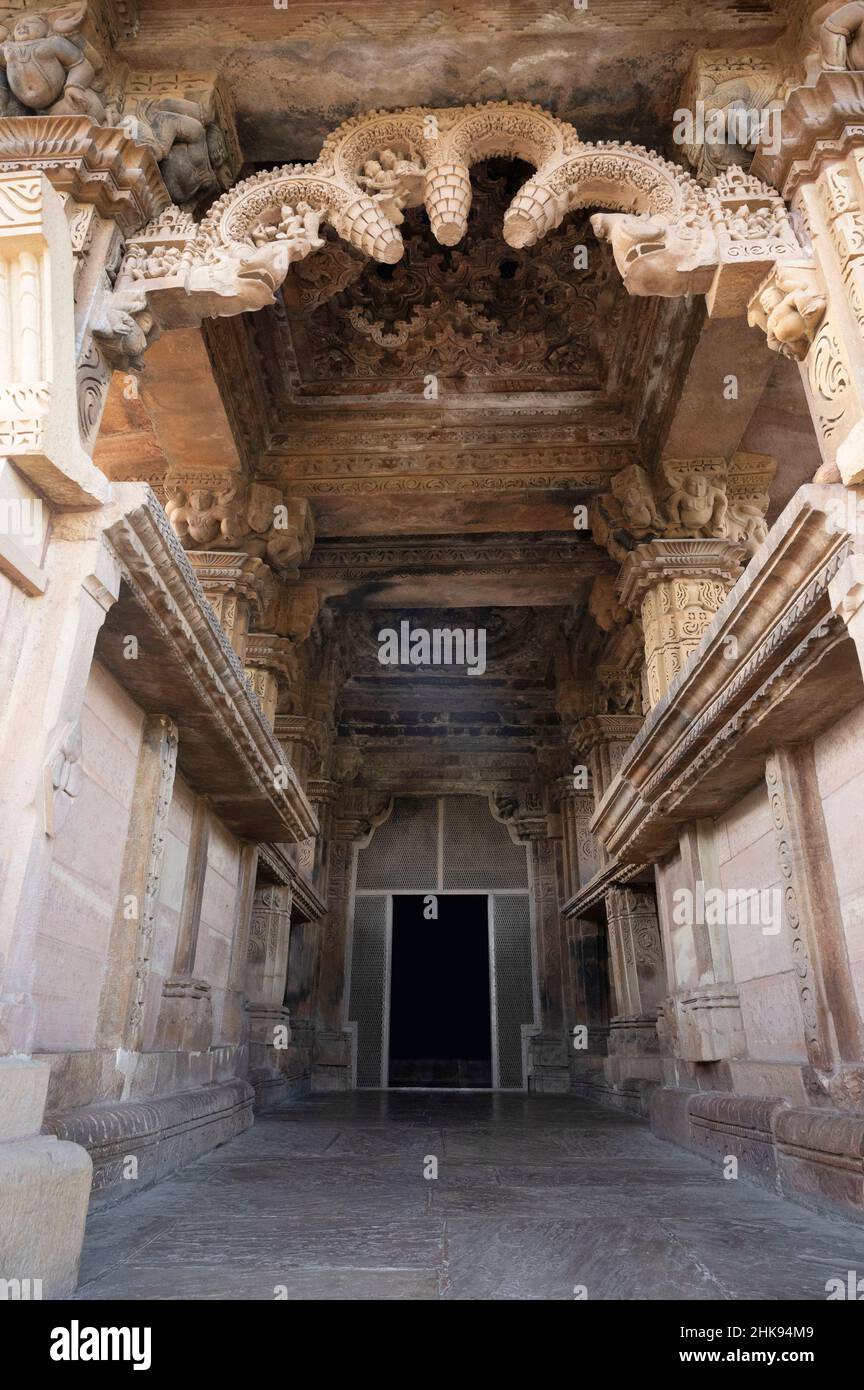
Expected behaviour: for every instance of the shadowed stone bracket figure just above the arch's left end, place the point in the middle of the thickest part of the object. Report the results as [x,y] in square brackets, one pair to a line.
[190,151]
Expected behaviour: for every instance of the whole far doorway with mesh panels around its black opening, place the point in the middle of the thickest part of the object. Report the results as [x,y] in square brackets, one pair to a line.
[442,971]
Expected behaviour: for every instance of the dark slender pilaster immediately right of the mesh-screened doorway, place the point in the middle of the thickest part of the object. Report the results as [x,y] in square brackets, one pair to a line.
[549,1060]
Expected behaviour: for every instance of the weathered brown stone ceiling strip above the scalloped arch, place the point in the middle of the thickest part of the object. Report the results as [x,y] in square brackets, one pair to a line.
[615,69]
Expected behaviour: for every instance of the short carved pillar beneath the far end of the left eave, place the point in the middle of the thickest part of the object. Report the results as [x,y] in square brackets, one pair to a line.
[266,982]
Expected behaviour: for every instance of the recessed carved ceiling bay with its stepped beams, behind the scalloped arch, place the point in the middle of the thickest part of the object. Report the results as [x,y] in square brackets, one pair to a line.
[548,376]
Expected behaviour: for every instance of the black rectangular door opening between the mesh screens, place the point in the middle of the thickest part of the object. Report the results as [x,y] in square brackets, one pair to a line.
[441,1013]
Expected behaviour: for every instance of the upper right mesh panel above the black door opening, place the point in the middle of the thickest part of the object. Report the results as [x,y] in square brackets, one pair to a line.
[479,851]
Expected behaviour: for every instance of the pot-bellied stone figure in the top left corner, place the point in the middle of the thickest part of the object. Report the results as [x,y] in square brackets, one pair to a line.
[51,66]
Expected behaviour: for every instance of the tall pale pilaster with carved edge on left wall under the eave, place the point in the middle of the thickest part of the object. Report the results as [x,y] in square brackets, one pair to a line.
[122,1010]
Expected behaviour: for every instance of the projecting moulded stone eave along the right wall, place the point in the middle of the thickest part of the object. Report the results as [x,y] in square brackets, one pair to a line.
[777,667]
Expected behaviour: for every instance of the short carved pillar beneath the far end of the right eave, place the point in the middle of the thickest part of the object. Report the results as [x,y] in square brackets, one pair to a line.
[638,981]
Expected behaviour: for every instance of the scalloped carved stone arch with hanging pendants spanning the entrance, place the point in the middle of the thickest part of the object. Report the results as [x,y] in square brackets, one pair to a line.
[669,236]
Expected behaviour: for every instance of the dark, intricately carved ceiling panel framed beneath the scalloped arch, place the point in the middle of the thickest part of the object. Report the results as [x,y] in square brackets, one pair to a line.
[484,318]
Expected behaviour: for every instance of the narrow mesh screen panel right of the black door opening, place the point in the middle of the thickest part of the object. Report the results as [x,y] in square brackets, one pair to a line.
[513,985]
